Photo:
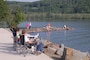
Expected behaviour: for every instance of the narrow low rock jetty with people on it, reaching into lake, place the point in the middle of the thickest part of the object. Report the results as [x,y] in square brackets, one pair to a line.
[44,29]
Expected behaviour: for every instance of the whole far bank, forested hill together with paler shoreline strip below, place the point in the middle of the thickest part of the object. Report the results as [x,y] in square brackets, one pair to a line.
[52,10]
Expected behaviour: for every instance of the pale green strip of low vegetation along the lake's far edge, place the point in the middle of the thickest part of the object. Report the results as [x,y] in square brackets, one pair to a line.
[58,17]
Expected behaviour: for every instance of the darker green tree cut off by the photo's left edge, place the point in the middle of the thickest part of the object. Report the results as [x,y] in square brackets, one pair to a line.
[4,12]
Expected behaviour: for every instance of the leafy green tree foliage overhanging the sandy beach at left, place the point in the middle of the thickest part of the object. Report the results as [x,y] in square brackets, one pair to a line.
[8,16]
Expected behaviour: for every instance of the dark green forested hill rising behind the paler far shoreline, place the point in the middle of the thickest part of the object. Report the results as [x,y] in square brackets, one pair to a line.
[54,6]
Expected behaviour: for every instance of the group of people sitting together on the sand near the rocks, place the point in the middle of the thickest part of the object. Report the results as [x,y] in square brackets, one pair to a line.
[24,37]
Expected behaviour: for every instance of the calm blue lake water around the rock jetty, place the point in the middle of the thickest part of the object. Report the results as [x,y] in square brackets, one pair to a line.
[79,38]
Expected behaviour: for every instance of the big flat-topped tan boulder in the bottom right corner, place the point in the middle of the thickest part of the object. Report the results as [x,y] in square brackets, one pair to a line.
[72,54]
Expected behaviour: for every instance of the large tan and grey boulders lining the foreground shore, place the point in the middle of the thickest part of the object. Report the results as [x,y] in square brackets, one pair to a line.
[61,52]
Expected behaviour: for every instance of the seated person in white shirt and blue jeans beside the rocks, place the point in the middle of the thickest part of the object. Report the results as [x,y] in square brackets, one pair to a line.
[39,46]
